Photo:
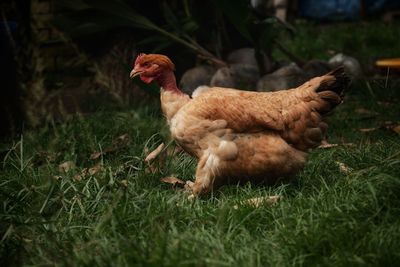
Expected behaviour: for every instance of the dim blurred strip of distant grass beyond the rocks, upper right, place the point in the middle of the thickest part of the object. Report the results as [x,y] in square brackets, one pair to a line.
[366,41]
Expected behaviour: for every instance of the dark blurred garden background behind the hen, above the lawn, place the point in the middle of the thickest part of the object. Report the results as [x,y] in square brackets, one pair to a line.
[67,56]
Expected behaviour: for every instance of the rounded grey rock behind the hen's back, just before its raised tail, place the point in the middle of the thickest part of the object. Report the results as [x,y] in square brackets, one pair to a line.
[289,76]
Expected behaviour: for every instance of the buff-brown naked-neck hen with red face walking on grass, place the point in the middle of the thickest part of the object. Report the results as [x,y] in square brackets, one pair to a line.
[240,136]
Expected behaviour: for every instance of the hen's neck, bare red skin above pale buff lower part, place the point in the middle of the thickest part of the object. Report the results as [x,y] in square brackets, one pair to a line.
[172,98]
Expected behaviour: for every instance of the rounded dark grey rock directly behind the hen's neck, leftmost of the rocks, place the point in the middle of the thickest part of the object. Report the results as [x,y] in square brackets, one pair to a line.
[195,77]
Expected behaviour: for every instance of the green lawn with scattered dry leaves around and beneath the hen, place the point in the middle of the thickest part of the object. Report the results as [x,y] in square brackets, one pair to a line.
[78,193]
